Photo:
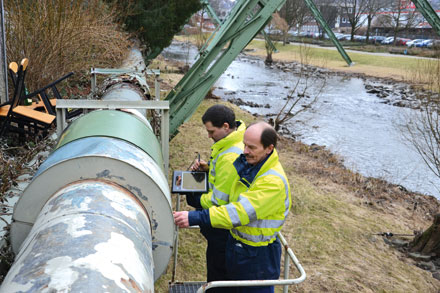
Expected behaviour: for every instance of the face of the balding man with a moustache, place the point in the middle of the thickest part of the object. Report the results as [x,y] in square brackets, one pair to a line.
[253,148]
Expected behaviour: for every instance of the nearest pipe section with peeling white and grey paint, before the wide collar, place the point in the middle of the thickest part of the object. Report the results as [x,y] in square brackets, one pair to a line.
[83,225]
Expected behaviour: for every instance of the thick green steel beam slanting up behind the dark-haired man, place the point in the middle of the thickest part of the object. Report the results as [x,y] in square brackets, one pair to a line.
[246,19]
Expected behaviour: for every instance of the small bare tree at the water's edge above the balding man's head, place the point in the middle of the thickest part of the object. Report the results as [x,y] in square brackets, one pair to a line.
[300,98]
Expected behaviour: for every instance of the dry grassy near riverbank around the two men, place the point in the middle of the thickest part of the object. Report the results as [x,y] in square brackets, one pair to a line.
[334,221]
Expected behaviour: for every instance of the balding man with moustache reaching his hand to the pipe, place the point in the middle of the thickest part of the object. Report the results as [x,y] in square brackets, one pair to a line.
[259,203]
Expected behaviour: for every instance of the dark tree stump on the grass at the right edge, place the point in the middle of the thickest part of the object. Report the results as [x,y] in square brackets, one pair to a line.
[428,243]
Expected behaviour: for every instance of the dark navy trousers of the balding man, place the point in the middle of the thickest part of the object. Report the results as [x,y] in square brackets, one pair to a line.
[245,262]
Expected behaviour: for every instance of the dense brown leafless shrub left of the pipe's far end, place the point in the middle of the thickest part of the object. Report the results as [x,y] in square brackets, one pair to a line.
[59,36]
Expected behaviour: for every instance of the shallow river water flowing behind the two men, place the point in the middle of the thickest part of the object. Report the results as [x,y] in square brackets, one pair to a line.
[349,121]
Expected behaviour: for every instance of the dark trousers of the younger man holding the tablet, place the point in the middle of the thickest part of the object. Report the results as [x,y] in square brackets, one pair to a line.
[215,256]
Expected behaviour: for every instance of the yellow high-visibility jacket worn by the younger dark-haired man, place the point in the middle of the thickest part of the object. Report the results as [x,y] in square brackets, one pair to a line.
[222,173]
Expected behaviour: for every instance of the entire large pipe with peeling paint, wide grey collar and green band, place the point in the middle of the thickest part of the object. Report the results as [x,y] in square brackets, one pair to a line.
[97,215]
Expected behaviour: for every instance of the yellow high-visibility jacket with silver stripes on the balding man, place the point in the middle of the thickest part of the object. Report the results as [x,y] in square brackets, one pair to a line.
[256,213]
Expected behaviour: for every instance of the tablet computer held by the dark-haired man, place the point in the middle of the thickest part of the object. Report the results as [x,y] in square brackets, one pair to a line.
[189,181]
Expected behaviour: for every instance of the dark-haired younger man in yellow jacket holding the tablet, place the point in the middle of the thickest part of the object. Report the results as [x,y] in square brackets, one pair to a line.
[227,134]
